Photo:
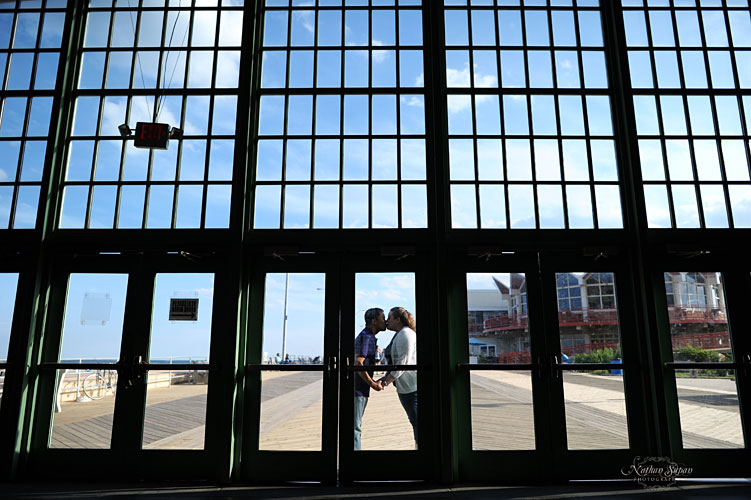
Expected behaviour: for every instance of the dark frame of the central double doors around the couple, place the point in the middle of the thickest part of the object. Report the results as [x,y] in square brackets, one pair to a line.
[338,390]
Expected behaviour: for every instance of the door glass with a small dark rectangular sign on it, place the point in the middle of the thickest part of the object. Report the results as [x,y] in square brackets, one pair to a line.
[175,415]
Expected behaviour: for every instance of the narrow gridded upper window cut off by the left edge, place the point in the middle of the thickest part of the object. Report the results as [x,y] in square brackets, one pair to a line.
[30,40]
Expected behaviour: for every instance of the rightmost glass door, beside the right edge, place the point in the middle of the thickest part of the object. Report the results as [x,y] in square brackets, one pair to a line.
[705,360]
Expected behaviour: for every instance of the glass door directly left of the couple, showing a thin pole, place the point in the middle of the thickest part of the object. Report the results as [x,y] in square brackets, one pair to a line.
[291,381]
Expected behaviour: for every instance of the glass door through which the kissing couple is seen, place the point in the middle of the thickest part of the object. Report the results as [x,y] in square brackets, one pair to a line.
[388,382]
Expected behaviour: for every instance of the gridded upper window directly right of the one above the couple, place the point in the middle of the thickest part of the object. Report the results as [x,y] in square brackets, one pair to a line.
[529,116]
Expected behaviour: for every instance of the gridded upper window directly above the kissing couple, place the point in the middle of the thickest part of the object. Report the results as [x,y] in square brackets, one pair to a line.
[341,134]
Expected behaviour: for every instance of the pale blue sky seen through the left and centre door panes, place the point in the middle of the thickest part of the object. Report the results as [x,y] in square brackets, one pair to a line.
[95,311]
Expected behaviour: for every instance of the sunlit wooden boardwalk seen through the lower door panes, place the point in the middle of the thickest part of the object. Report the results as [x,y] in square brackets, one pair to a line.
[502,415]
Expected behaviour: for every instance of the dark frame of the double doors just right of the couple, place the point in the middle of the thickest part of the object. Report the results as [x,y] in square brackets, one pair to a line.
[549,409]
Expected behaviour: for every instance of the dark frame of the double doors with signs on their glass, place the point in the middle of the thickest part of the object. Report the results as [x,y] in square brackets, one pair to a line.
[125,458]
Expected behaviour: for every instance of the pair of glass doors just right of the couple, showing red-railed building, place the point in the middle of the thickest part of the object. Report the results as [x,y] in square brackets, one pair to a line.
[543,361]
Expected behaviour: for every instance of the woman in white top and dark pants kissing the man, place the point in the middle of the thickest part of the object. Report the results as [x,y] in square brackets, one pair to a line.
[404,352]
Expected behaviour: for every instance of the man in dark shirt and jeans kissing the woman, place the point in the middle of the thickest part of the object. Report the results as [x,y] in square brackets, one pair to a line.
[366,346]
